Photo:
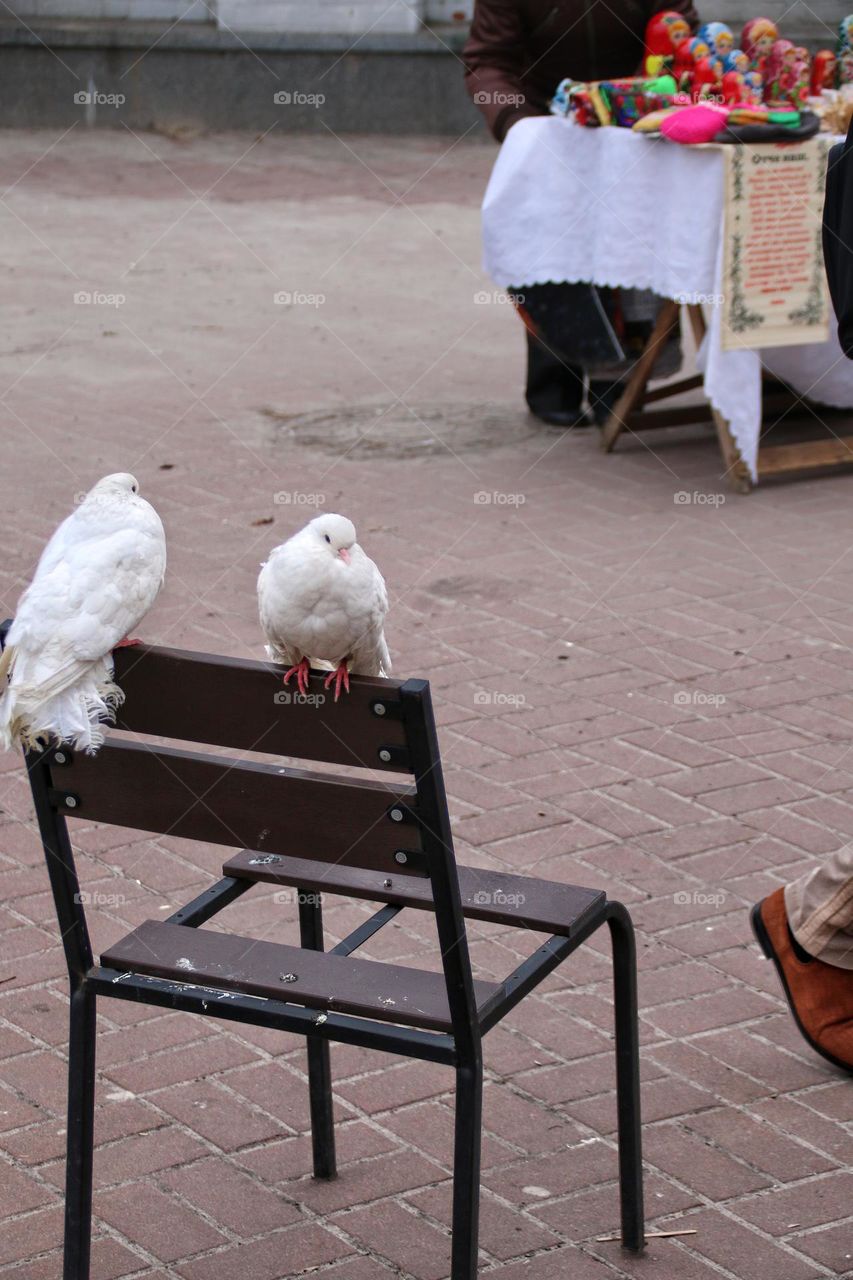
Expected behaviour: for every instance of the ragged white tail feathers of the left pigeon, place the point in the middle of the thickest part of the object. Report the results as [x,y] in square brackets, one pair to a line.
[69,707]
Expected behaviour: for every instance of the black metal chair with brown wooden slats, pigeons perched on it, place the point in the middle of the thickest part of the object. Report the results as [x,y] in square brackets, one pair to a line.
[389,843]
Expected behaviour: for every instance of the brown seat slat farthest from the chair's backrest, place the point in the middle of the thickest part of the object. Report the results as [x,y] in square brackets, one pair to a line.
[519,900]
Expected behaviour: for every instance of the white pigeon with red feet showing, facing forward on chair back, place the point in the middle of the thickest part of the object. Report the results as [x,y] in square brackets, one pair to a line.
[323,601]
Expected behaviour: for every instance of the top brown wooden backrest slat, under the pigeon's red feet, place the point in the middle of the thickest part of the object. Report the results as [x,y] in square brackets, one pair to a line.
[229,702]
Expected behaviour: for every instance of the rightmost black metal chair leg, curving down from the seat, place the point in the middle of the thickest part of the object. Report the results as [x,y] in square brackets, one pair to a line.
[628,1092]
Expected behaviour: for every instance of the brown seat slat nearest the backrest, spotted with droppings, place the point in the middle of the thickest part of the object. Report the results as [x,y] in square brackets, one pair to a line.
[336,984]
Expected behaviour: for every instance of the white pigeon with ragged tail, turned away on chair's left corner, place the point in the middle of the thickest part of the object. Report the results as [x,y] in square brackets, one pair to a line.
[98,578]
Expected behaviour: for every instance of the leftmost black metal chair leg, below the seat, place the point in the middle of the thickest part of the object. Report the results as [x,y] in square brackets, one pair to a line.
[81,1136]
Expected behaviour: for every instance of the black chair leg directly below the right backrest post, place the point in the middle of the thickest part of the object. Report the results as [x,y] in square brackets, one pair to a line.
[467,1172]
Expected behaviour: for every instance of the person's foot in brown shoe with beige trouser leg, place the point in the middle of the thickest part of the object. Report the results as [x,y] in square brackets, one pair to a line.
[806,929]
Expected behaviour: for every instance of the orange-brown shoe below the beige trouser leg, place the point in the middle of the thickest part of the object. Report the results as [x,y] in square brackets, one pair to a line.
[820,995]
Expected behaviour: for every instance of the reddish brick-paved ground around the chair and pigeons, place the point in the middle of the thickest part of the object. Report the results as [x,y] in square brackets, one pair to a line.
[647,696]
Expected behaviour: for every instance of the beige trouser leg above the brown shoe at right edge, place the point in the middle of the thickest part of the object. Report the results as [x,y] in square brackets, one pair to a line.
[820,909]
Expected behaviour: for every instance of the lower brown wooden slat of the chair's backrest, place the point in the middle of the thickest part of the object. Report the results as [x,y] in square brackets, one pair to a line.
[235,803]
